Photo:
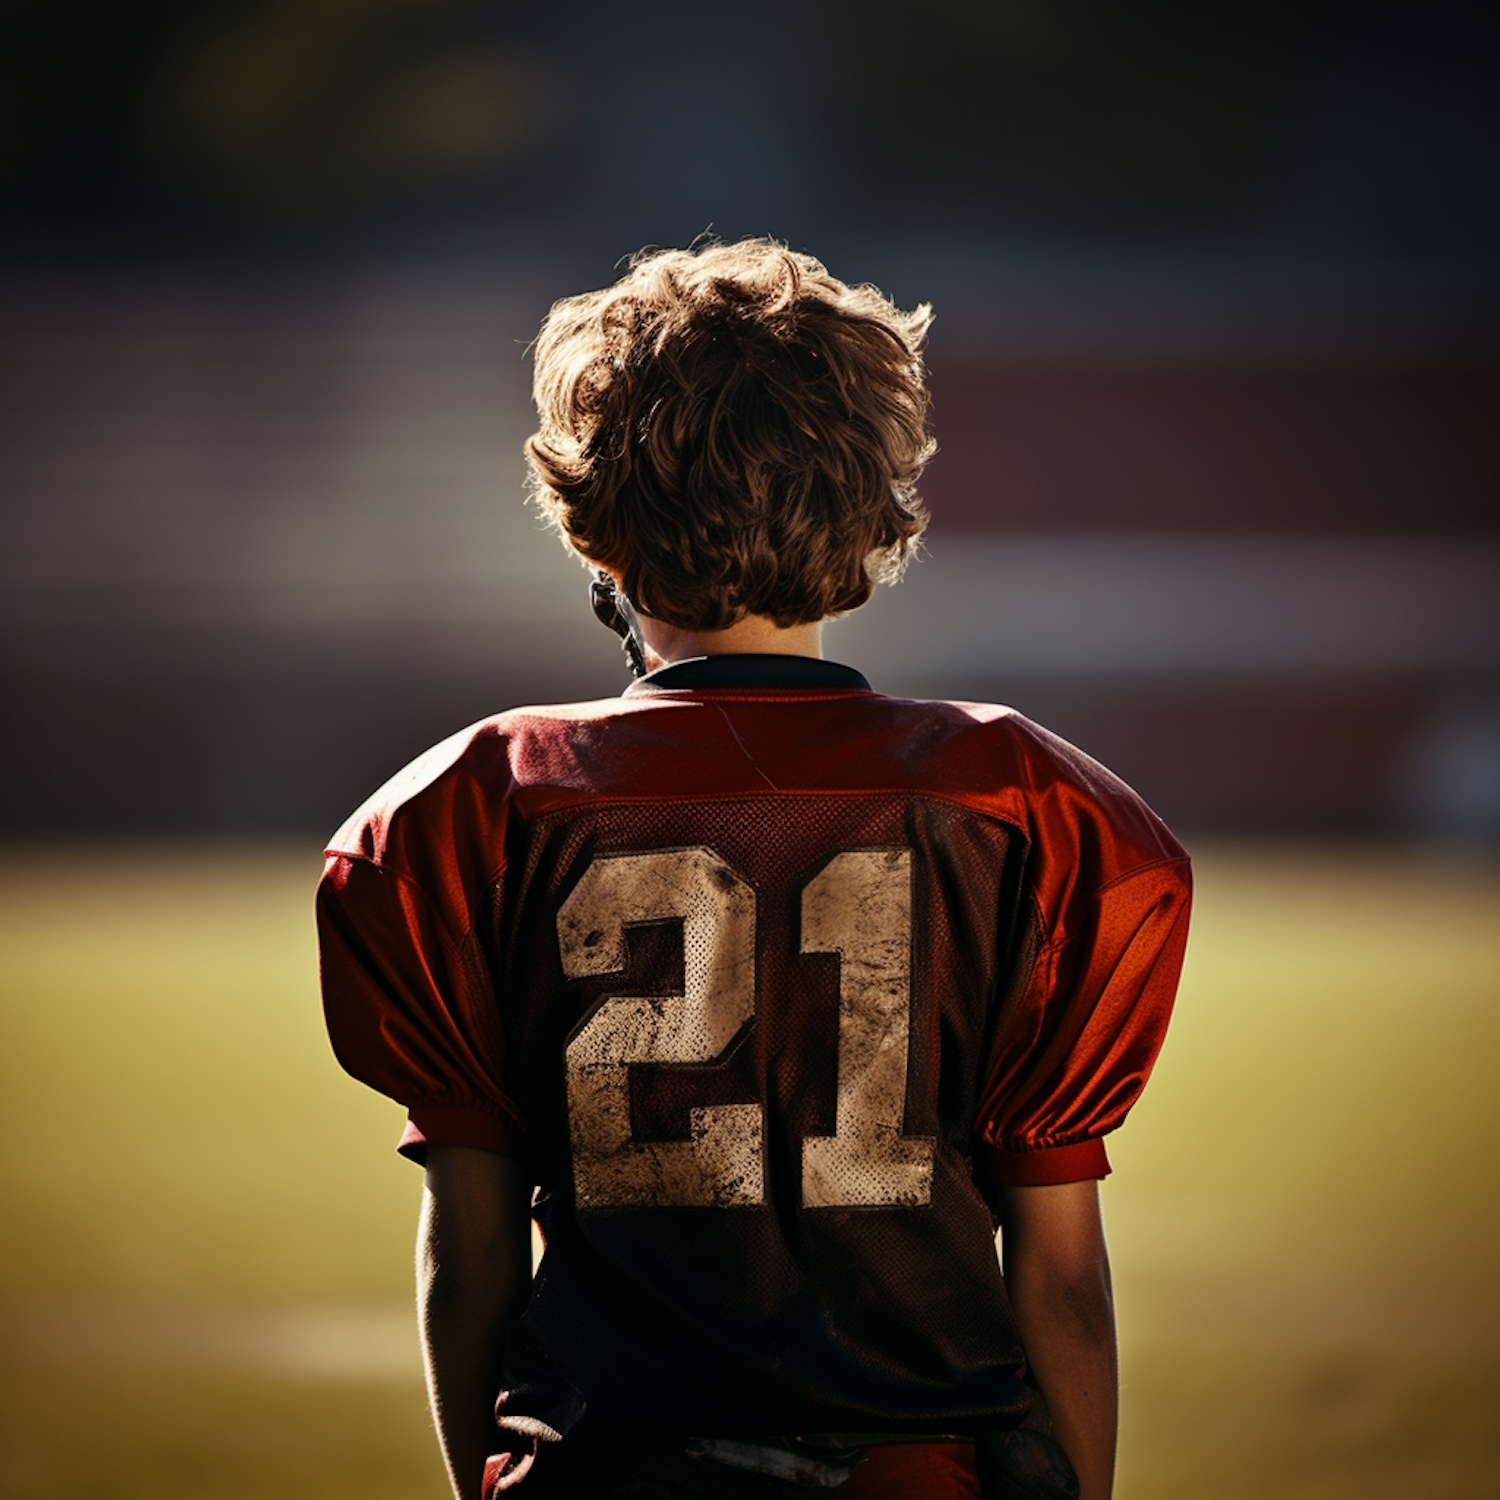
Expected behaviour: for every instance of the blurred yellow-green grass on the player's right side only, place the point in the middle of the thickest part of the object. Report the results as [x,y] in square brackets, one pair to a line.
[1306,1211]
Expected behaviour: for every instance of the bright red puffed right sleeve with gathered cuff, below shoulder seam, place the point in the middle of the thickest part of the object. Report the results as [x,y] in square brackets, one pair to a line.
[1079,1033]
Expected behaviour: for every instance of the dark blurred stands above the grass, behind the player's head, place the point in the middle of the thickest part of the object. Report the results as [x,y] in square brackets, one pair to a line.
[1214,376]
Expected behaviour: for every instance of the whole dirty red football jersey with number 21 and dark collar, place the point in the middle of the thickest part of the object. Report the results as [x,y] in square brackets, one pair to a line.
[769,979]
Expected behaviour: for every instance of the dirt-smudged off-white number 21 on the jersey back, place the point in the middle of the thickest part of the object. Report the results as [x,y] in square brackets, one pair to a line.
[859,907]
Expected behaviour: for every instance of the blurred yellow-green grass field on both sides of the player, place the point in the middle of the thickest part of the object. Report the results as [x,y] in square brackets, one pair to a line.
[205,1273]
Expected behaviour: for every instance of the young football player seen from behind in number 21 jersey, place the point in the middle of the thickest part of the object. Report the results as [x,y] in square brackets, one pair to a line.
[769,997]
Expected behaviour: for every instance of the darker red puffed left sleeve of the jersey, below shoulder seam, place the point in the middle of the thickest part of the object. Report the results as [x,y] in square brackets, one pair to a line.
[412,1009]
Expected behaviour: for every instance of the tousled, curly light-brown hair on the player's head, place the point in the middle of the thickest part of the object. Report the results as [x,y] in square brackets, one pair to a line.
[736,433]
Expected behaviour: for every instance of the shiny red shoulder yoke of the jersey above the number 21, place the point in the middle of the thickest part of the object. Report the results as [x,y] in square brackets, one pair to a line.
[448,809]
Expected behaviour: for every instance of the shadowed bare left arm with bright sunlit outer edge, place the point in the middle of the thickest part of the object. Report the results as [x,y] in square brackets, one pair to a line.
[473,1276]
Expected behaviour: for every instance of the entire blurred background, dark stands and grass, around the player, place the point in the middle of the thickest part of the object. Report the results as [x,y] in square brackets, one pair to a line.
[1216,373]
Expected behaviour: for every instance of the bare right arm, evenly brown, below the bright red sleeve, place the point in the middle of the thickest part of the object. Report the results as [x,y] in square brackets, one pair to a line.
[1058,1273]
